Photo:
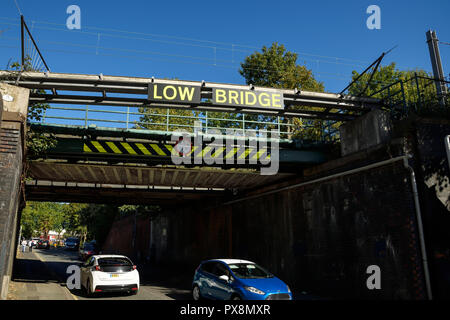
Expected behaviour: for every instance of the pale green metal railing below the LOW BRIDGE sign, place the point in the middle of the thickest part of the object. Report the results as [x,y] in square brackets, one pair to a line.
[168,121]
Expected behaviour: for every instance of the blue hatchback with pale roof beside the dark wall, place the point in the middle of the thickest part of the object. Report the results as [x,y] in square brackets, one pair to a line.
[233,279]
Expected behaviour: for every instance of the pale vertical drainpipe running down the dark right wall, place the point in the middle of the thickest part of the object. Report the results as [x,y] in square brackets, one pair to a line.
[419,225]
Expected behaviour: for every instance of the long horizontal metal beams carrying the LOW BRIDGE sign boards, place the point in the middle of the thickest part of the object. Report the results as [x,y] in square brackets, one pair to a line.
[132,91]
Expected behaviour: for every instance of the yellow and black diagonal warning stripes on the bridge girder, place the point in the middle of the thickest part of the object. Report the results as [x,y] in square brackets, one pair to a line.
[165,150]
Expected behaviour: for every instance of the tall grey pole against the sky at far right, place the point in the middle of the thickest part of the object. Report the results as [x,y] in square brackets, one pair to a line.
[438,71]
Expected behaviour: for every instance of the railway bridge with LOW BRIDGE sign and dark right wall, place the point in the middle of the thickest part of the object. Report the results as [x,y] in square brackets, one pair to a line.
[229,159]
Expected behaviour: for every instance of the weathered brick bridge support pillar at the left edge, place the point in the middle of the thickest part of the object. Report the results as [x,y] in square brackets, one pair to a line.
[13,114]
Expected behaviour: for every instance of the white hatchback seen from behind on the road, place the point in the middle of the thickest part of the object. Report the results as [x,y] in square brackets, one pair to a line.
[109,273]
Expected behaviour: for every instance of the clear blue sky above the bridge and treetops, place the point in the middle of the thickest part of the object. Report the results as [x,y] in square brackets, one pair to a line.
[206,40]
